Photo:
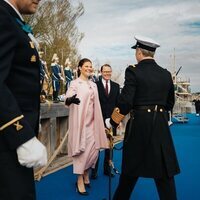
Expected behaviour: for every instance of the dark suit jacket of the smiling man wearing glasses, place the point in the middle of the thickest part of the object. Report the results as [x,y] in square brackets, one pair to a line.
[108,103]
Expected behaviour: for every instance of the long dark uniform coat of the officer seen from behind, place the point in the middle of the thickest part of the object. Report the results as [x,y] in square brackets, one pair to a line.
[148,147]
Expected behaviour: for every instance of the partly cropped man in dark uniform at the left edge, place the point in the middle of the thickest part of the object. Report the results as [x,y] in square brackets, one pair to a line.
[20,150]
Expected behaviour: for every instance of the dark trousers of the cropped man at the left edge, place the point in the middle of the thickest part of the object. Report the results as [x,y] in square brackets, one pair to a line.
[16,181]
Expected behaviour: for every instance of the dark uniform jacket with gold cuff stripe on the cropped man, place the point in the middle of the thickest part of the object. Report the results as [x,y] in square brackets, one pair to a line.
[19,81]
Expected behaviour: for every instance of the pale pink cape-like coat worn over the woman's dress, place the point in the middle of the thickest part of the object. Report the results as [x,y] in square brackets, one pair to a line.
[77,114]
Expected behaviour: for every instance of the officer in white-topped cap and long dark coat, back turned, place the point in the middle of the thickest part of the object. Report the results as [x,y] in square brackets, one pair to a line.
[148,149]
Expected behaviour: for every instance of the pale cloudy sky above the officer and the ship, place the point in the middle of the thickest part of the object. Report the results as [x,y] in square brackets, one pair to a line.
[109,27]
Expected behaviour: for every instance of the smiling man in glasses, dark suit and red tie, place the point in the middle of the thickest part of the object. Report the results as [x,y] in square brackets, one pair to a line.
[108,93]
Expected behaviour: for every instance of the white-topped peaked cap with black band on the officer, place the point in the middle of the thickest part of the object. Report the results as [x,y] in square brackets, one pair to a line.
[145,43]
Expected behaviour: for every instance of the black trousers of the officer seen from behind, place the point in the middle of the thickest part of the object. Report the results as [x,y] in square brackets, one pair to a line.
[165,187]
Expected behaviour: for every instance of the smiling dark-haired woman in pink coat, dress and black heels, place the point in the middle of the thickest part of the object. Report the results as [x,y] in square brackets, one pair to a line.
[86,126]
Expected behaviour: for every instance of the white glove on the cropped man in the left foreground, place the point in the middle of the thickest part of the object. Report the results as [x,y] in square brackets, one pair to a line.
[32,153]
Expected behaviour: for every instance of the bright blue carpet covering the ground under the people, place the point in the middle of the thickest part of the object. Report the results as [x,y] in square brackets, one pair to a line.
[61,185]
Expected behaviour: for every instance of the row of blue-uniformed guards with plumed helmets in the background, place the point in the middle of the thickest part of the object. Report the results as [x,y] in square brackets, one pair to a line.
[55,78]
